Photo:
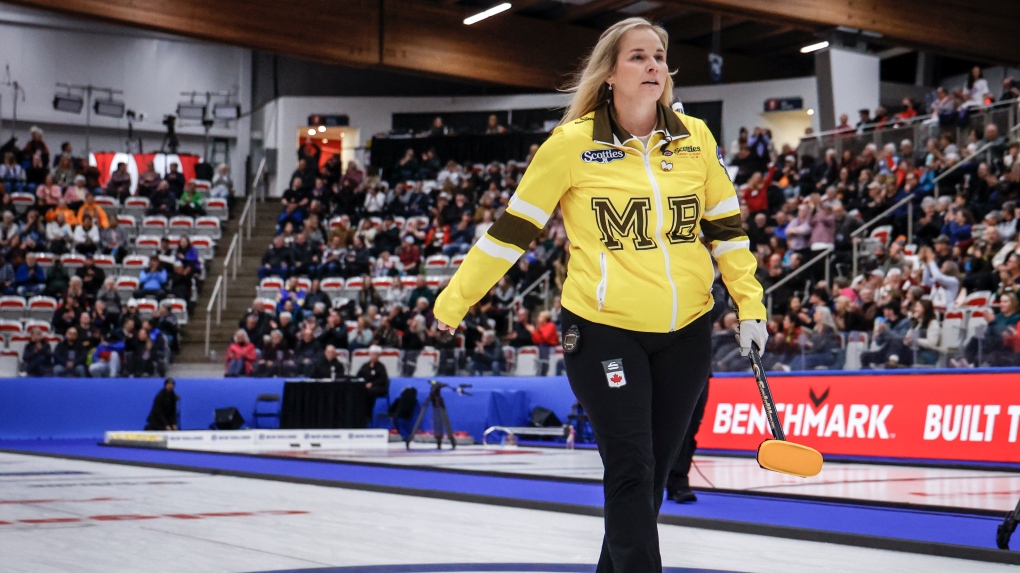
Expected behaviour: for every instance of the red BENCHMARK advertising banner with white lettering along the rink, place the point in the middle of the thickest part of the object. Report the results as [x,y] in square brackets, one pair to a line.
[973,418]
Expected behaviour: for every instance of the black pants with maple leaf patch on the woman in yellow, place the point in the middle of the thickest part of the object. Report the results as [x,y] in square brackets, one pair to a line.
[639,426]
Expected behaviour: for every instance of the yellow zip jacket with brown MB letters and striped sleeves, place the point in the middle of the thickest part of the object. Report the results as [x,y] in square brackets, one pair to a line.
[634,220]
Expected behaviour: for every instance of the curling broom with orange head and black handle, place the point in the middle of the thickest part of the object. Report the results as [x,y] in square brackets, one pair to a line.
[778,454]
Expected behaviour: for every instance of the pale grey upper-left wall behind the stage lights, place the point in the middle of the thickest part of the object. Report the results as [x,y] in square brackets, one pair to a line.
[40,49]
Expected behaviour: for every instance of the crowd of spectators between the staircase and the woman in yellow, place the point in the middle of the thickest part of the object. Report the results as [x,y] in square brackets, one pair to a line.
[359,225]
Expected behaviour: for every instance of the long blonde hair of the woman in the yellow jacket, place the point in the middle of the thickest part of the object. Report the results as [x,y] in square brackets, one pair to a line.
[589,86]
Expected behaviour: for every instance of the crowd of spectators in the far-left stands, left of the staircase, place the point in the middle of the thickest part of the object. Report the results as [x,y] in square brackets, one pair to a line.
[96,330]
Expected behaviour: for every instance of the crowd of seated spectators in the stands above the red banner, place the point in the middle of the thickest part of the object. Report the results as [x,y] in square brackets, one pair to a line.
[963,242]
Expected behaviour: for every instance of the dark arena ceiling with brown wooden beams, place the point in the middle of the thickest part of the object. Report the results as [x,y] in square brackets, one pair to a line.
[538,42]
